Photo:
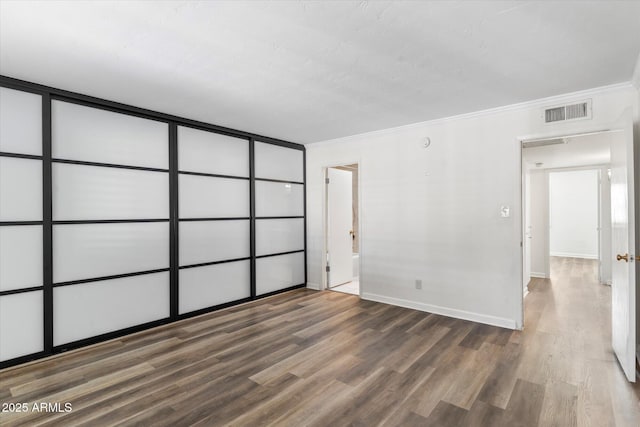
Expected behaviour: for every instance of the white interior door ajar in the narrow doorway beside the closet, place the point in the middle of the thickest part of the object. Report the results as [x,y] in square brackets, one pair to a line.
[339,225]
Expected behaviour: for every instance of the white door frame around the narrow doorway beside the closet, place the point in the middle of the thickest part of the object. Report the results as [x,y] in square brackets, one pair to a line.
[325,223]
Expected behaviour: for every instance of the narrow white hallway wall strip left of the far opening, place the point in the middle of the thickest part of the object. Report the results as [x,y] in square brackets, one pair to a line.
[539,223]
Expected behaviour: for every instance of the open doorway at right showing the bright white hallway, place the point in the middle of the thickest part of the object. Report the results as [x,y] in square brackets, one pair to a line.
[566,198]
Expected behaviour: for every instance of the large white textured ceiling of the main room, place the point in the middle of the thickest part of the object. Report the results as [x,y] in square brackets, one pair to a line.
[310,71]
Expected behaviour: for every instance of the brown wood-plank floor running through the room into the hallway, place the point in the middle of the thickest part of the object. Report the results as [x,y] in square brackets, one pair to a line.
[330,359]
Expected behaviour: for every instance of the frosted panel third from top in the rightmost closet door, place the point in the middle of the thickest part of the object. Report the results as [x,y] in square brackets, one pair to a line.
[279,235]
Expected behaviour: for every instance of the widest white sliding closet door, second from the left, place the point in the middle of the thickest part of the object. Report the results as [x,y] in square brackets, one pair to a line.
[110,202]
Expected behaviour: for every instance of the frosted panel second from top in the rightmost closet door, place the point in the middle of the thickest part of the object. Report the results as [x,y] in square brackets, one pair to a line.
[279,199]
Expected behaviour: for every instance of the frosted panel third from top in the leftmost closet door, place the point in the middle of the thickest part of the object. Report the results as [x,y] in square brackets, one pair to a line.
[20,257]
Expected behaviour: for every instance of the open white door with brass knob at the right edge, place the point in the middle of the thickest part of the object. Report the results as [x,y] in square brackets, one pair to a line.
[623,287]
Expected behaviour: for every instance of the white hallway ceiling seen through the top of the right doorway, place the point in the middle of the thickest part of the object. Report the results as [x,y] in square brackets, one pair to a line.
[587,150]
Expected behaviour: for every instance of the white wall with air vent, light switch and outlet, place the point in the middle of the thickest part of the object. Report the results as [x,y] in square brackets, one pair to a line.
[434,214]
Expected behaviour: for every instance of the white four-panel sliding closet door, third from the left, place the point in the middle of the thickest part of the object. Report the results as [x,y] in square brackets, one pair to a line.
[215,228]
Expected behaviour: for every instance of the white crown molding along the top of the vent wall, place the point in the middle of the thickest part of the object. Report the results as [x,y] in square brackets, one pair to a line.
[536,103]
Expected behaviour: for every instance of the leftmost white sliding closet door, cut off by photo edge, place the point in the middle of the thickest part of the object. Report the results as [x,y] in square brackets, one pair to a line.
[21,268]
